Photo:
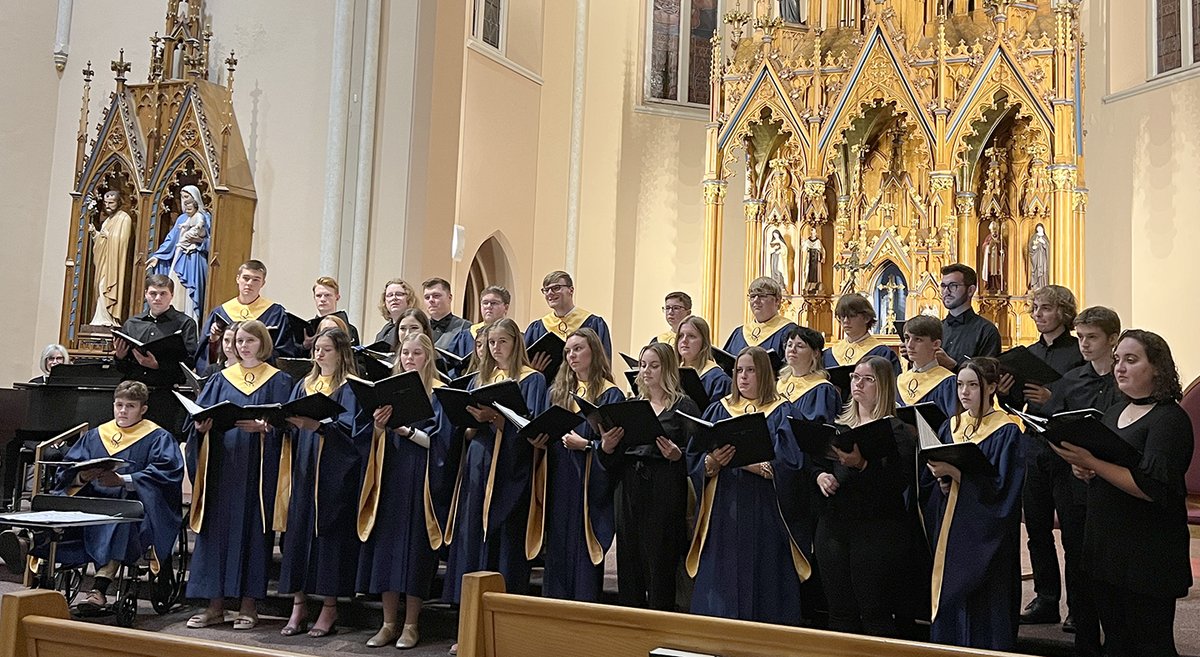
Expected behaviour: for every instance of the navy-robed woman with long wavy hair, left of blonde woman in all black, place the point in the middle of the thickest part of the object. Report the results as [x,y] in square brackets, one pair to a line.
[571,515]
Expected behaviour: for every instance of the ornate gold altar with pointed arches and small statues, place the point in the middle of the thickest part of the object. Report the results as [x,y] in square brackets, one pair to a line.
[885,140]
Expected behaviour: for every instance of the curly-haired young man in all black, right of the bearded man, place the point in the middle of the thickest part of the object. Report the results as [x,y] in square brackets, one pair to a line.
[1047,477]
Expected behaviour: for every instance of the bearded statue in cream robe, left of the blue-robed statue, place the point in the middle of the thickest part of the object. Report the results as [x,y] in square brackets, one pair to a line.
[111,260]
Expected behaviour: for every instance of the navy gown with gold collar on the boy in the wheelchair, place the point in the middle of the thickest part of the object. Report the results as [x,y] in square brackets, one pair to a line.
[157,467]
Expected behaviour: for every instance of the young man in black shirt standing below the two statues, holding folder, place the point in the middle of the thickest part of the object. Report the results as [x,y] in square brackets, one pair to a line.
[160,321]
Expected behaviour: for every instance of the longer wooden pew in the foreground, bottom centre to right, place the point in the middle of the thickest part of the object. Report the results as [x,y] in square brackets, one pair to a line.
[495,624]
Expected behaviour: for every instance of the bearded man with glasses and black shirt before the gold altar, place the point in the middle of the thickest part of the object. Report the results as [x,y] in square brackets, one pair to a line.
[964,333]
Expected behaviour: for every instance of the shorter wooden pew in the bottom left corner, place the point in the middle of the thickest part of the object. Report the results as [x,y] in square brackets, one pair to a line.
[37,624]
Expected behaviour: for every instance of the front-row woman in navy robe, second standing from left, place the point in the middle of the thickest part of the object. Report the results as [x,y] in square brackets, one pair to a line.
[321,461]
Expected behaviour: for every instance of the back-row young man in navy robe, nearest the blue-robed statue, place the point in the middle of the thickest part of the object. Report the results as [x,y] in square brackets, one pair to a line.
[249,305]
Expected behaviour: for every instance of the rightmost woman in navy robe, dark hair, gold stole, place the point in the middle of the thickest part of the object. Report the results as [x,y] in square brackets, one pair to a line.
[974,522]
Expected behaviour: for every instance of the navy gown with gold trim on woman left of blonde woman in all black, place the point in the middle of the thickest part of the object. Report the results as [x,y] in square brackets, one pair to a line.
[572,514]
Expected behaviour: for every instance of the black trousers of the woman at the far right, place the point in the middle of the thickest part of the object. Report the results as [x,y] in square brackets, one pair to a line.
[1136,624]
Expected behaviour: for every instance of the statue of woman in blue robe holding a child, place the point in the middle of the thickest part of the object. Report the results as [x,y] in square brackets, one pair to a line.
[184,254]
